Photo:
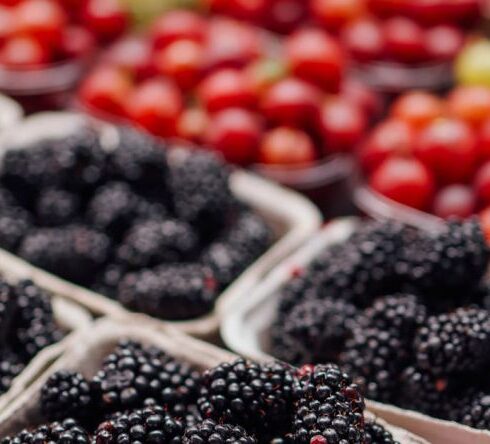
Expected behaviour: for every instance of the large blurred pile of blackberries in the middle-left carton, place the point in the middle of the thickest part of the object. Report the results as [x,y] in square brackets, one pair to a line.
[163,235]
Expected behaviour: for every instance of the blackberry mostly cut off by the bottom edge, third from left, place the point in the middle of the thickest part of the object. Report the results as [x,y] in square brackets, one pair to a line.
[210,431]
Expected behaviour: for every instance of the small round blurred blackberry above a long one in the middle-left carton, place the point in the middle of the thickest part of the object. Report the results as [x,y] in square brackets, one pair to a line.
[56,207]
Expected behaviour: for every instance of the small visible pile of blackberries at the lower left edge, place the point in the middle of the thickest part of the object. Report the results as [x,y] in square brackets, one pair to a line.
[27,325]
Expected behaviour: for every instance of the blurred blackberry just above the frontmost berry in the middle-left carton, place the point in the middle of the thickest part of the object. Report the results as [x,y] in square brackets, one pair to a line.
[152,242]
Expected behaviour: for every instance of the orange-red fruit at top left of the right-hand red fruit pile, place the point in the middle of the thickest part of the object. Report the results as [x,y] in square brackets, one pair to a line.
[418,108]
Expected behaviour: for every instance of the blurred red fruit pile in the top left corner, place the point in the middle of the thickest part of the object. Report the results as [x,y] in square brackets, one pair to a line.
[39,32]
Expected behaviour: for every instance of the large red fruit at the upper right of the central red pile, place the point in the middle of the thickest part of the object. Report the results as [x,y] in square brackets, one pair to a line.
[316,57]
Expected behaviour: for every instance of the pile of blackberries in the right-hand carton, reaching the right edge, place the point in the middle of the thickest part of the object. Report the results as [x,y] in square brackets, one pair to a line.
[406,313]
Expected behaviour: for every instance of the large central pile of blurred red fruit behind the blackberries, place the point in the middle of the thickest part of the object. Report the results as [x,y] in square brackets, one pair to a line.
[226,84]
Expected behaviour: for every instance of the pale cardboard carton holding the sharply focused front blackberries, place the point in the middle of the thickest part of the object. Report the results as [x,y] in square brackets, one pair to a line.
[85,352]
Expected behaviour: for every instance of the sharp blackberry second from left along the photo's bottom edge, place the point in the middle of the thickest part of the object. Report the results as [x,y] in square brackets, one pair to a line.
[149,425]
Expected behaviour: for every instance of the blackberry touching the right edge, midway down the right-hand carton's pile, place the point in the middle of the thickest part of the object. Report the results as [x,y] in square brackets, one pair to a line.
[455,342]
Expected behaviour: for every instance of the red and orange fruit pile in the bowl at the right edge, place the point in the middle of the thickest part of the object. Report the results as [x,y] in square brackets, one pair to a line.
[433,154]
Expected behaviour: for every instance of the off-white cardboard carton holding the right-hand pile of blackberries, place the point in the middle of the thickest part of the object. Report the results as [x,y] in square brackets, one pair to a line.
[245,327]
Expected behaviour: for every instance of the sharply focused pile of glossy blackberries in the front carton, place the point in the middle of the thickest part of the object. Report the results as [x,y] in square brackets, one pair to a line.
[142,395]
